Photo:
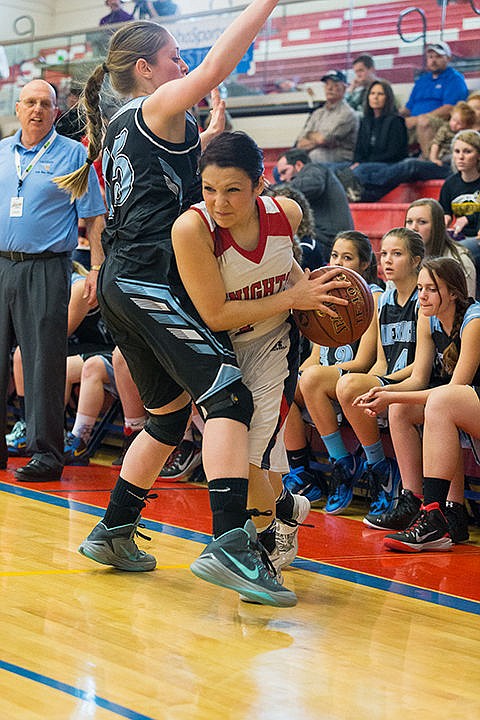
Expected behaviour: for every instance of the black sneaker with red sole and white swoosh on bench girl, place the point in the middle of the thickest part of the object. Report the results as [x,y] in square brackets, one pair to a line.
[429,531]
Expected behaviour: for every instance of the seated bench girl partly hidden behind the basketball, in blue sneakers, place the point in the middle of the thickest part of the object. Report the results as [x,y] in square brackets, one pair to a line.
[321,371]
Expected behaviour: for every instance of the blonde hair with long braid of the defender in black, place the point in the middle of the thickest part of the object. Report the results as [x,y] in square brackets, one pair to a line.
[134,40]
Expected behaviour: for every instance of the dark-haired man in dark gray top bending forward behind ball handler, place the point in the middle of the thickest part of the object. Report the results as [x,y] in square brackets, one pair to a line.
[323,191]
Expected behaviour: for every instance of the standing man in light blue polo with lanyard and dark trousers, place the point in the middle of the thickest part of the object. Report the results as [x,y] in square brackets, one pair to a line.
[38,232]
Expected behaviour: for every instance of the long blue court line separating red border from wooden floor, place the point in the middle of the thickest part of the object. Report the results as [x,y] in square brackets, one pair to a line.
[315,566]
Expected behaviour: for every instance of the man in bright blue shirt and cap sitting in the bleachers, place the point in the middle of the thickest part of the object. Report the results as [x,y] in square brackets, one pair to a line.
[433,96]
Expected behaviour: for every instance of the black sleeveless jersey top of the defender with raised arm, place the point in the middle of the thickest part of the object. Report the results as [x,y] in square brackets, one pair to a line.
[146,178]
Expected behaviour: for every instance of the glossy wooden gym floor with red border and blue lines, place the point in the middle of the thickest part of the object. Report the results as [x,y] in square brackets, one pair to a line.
[375,635]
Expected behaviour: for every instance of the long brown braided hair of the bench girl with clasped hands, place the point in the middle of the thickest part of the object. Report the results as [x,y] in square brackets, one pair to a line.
[452,274]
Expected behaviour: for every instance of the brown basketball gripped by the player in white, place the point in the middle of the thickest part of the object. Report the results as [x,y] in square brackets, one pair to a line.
[352,320]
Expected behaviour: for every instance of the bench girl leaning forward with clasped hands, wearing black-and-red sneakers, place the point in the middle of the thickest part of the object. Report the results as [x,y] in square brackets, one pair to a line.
[447,341]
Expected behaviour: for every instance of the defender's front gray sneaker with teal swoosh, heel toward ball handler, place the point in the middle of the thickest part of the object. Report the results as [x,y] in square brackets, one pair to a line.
[234,561]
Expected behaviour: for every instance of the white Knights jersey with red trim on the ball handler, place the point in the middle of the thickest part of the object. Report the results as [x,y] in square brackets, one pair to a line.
[252,274]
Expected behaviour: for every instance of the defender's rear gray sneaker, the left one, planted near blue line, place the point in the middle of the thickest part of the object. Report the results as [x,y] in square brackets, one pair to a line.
[116,546]
